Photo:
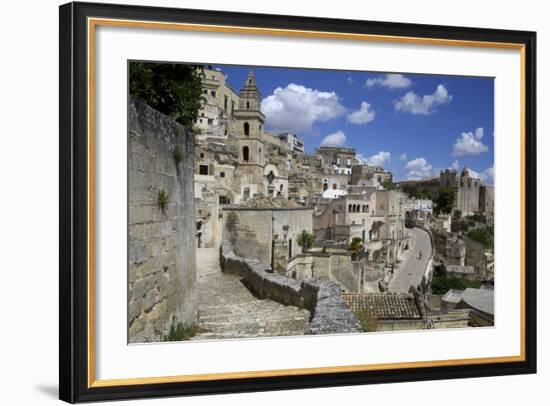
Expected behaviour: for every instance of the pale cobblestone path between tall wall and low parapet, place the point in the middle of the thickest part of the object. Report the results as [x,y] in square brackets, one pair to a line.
[227,309]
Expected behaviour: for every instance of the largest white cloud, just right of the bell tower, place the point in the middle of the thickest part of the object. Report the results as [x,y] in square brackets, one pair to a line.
[296,108]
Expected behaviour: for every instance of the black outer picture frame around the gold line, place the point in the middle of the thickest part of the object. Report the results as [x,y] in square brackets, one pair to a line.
[73,255]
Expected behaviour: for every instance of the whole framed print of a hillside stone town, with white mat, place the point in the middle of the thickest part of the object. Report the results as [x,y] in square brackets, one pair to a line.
[258,202]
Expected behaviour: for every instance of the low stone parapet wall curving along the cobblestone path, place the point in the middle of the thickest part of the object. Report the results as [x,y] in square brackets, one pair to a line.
[329,313]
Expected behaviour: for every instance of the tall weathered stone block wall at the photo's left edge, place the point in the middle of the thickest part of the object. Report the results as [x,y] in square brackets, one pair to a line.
[161,257]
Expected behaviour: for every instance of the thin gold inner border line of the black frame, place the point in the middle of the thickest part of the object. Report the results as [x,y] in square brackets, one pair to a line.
[94,22]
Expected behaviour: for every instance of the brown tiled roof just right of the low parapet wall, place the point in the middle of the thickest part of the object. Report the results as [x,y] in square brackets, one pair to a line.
[384,306]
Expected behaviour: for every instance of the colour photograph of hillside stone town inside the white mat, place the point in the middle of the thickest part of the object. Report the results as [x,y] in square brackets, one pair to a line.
[280,201]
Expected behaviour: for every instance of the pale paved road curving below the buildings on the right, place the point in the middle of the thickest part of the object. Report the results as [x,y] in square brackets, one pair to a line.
[411,269]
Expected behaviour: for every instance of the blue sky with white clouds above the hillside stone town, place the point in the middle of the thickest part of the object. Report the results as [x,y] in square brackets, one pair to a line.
[413,125]
